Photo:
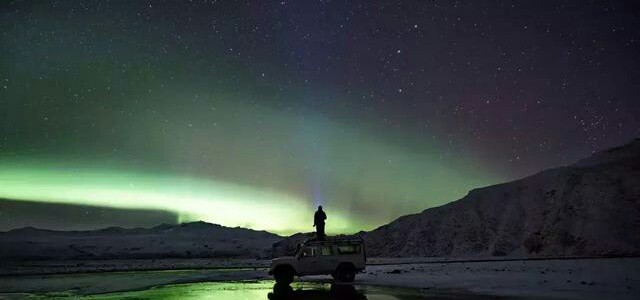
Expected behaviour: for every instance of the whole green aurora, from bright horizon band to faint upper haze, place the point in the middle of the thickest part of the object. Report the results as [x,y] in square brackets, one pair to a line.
[192,126]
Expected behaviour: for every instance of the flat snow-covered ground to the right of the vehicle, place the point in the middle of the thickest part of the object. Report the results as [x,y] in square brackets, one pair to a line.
[571,279]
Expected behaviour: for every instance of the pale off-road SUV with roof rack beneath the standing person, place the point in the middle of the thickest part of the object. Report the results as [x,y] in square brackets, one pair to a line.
[340,257]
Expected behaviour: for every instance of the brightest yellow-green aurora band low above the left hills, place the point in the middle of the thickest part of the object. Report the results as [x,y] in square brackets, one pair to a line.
[193,199]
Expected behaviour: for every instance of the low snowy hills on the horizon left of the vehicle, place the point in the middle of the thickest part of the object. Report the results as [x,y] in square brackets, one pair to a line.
[189,240]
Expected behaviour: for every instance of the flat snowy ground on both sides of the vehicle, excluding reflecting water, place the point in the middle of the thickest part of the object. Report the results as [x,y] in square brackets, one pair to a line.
[561,279]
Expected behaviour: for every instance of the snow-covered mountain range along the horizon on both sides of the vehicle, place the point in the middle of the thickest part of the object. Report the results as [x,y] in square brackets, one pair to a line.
[588,208]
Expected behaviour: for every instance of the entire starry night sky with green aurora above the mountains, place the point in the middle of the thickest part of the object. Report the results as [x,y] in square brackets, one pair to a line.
[251,113]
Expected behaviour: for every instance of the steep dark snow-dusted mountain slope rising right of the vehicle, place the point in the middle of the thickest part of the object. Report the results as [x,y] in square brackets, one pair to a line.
[589,208]
